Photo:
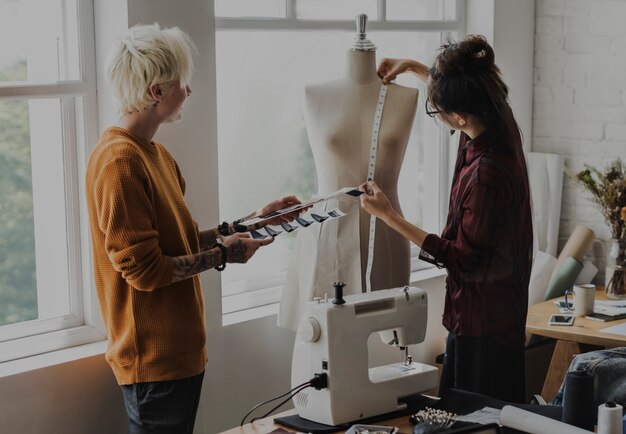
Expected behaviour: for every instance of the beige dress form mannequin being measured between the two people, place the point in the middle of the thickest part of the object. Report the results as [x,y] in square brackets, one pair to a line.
[339,116]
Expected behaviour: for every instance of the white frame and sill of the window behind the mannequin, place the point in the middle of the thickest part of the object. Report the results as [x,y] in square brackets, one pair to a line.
[268,297]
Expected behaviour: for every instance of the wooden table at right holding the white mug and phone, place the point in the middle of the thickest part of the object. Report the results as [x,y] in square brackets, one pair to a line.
[583,336]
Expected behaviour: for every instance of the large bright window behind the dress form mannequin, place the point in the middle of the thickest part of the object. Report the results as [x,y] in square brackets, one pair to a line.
[265,54]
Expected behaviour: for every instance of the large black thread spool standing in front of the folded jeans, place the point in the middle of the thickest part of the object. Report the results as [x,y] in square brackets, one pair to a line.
[578,400]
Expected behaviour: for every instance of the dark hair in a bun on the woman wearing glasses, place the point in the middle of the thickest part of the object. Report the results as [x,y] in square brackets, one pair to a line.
[465,79]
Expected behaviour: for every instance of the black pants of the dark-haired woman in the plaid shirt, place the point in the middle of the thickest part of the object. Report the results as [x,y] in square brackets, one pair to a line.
[483,365]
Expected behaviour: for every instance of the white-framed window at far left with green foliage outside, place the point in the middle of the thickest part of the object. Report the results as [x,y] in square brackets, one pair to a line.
[47,96]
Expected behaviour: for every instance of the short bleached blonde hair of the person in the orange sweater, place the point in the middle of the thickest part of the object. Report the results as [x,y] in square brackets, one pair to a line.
[145,56]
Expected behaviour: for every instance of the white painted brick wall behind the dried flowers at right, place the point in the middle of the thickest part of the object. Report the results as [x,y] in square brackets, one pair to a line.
[579,106]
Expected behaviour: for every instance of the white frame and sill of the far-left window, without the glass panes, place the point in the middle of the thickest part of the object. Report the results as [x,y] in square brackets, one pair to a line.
[79,125]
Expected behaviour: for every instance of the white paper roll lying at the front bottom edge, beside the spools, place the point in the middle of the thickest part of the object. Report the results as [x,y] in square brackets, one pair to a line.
[526,421]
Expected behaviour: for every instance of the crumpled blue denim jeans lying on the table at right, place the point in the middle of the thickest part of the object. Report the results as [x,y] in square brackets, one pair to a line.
[608,367]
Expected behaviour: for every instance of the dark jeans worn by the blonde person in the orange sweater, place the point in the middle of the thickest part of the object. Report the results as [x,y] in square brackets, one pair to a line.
[163,407]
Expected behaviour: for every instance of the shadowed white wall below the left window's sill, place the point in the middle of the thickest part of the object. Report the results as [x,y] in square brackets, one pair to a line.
[72,398]
